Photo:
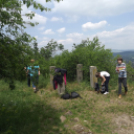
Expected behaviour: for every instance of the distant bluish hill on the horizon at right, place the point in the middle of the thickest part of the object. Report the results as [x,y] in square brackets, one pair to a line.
[126,55]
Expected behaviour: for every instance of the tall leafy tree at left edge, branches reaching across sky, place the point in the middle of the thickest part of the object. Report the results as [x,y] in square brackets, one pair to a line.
[15,44]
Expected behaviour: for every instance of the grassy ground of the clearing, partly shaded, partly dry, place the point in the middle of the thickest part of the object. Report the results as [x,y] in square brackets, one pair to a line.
[23,112]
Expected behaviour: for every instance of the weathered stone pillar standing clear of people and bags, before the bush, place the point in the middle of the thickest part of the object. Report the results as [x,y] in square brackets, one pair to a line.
[79,72]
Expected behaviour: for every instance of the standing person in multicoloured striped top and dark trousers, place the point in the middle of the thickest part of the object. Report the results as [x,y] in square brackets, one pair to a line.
[122,76]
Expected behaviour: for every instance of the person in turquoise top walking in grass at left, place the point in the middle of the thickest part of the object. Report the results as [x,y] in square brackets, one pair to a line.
[34,72]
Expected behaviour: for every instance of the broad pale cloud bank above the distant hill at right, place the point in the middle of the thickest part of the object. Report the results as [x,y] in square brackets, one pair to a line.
[122,38]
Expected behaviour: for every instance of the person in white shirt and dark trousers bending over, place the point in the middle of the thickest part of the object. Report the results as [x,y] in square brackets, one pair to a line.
[105,77]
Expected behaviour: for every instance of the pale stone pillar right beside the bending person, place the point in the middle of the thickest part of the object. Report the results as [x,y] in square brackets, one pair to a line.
[93,78]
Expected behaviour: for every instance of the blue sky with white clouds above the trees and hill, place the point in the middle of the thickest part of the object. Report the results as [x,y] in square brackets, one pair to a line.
[71,21]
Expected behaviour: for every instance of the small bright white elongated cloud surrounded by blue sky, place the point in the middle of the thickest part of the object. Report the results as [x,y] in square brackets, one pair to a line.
[90,25]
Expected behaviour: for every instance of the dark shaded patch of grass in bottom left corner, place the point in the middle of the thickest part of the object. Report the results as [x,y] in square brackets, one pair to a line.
[25,113]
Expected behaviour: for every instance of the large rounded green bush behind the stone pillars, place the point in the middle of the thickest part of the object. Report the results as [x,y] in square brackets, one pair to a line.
[88,53]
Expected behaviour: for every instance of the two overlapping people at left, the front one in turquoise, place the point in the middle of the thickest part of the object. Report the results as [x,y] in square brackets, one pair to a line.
[32,73]
